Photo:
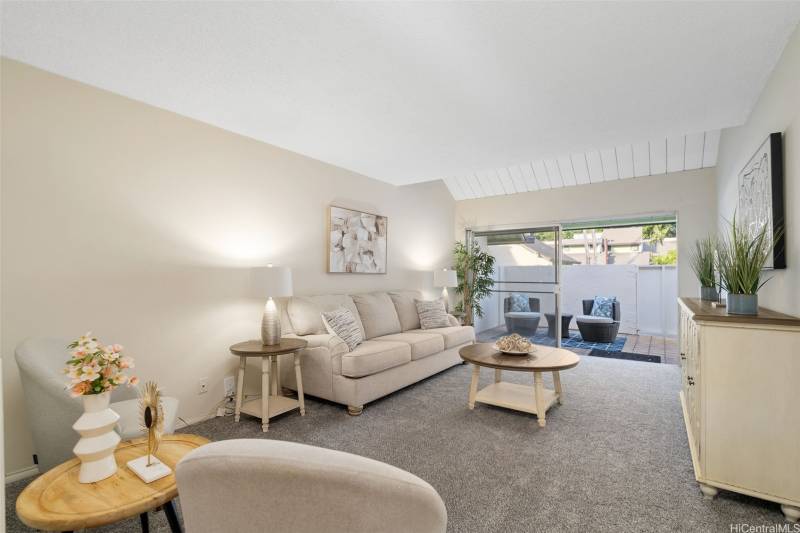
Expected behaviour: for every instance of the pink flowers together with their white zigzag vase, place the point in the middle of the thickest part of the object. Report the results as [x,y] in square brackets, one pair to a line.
[94,371]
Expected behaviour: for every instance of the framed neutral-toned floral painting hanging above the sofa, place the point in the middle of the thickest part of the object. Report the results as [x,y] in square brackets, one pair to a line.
[357,241]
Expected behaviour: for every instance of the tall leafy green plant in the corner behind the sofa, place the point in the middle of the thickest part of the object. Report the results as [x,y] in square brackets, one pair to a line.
[474,268]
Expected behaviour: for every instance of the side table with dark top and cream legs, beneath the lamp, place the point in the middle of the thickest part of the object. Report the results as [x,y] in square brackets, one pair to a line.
[271,402]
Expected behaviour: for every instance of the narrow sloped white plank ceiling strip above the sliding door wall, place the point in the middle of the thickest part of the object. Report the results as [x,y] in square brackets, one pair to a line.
[649,158]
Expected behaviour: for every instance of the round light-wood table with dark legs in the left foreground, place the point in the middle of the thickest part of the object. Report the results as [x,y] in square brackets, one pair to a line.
[56,501]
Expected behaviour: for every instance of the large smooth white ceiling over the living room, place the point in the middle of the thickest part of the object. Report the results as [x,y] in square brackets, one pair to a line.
[407,92]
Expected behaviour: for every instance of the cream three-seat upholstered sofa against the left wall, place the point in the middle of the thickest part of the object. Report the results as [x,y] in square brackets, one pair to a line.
[395,354]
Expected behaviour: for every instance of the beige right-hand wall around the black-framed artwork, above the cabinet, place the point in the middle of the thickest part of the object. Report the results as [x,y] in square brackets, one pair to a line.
[777,109]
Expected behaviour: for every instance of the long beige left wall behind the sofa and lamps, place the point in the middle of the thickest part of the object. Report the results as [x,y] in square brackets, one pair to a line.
[139,224]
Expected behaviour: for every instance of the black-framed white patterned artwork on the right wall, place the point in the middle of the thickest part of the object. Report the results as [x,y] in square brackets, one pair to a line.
[761,197]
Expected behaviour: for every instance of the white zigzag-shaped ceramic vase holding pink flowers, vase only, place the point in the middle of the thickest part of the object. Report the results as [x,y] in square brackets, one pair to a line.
[98,439]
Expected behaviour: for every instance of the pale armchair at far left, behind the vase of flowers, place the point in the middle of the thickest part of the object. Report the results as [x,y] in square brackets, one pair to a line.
[52,411]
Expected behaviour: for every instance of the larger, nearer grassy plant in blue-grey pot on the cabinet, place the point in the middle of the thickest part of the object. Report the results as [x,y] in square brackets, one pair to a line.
[740,258]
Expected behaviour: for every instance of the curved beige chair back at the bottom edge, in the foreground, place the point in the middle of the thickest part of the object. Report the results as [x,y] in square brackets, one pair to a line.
[255,485]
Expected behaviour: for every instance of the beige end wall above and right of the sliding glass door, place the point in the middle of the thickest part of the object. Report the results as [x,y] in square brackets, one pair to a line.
[689,194]
